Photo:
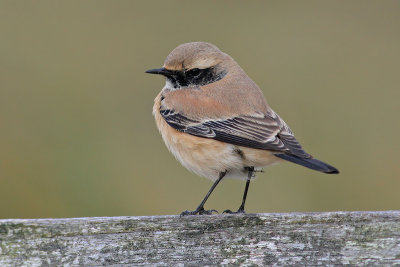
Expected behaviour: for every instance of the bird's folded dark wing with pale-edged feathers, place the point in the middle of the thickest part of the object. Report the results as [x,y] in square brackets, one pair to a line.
[260,131]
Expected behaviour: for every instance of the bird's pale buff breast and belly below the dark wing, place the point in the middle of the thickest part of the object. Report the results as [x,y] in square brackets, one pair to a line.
[208,157]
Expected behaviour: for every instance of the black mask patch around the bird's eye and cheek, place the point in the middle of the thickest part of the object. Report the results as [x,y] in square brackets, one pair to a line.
[195,77]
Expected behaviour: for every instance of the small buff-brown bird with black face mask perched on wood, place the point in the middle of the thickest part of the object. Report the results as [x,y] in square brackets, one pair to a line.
[216,121]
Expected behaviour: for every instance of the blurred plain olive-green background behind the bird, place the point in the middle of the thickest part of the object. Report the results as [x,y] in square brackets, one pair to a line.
[77,134]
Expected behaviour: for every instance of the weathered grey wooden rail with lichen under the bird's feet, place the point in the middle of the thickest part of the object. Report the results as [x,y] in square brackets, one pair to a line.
[332,238]
